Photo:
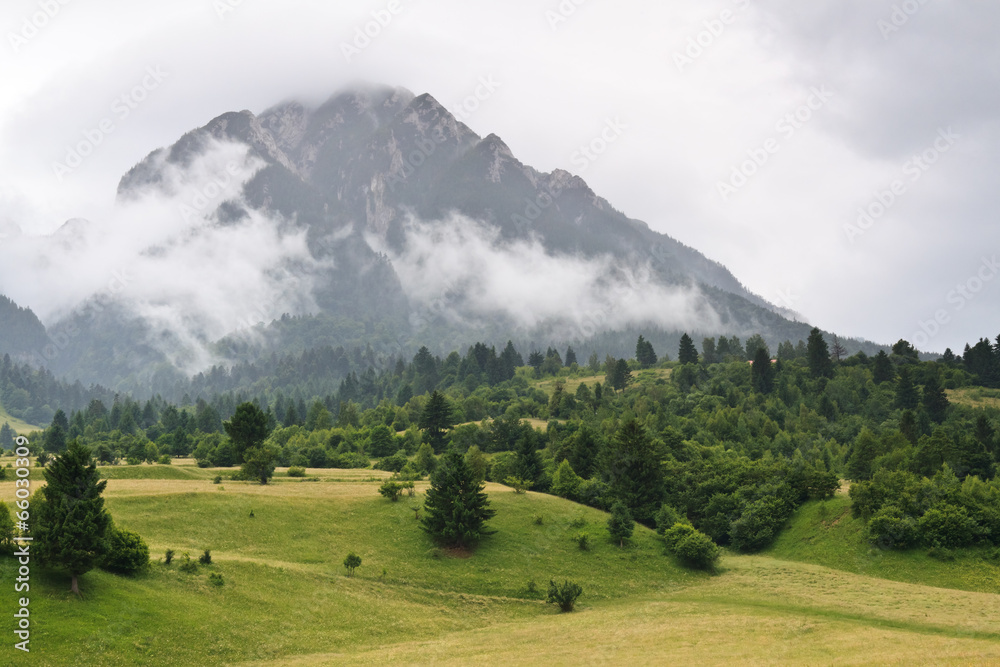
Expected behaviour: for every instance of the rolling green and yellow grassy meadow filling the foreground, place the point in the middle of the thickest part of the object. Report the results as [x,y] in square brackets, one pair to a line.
[818,596]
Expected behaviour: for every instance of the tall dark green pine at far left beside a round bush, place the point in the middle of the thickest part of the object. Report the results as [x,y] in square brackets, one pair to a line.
[72,524]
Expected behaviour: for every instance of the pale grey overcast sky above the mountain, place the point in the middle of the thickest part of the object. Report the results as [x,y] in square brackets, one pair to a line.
[753,131]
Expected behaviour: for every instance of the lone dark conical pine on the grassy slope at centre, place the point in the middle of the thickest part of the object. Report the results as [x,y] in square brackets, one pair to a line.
[456,509]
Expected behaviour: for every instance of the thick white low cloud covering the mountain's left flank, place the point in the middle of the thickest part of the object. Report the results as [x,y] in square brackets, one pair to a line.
[168,257]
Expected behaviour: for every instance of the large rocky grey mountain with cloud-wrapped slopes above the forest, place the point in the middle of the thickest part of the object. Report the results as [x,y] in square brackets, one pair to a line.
[418,231]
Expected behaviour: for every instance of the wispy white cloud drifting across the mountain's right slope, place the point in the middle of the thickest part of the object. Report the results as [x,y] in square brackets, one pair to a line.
[459,269]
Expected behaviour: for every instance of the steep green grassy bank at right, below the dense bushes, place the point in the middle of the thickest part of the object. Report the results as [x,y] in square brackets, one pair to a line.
[824,533]
